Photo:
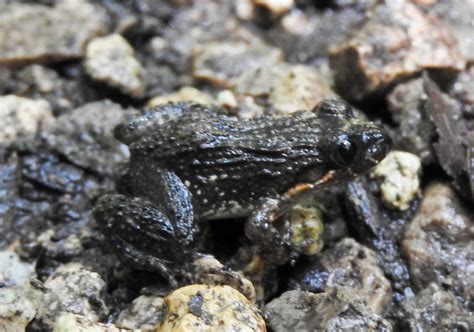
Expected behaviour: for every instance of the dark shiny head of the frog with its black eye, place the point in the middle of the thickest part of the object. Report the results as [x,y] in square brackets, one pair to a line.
[351,146]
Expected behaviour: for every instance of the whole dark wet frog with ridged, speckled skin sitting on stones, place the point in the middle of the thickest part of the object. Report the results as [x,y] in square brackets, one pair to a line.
[191,163]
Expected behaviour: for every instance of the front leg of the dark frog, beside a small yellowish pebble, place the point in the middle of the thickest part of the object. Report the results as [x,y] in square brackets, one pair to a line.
[274,246]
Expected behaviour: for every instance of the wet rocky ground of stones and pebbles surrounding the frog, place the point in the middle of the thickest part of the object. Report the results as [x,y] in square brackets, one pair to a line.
[393,250]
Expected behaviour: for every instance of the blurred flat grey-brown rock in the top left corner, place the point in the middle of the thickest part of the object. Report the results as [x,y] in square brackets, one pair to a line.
[36,33]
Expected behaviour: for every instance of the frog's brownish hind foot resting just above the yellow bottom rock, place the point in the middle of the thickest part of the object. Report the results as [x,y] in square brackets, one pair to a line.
[205,269]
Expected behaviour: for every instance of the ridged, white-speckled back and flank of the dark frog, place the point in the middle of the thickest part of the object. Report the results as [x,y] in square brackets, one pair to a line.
[229,164]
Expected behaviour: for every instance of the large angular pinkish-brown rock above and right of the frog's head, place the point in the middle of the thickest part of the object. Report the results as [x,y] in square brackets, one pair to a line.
[397,41]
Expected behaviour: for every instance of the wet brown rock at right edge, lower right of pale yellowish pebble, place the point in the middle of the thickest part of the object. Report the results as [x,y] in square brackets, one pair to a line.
[438,243]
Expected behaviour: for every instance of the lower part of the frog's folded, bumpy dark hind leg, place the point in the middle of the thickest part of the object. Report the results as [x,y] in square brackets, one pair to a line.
[141,235]
